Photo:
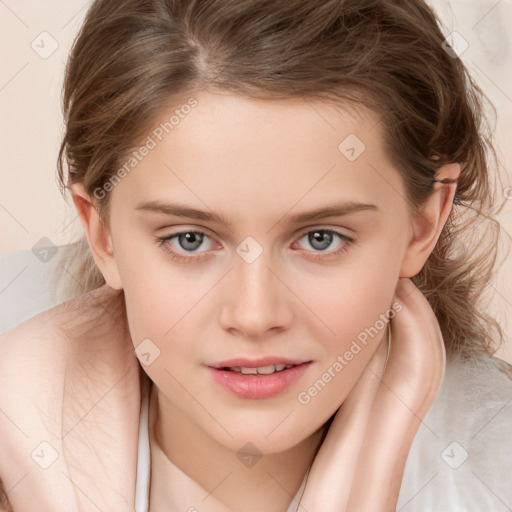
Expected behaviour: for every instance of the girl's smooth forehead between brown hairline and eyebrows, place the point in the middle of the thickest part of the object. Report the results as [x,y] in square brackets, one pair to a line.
[227,150]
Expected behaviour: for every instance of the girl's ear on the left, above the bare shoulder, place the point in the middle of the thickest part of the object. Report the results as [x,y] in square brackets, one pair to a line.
[98,235]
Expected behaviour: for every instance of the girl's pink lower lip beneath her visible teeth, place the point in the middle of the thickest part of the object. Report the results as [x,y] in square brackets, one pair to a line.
[258,386]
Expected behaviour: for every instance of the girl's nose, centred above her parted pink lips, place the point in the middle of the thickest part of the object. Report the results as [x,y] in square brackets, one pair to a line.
[258,301]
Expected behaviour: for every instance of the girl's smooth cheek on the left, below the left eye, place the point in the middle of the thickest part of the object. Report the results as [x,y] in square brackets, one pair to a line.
[164,304]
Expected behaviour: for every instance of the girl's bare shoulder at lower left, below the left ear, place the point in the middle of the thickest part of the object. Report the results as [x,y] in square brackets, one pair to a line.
[70,403]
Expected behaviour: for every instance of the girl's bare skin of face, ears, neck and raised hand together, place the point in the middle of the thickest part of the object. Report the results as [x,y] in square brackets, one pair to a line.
[254,163]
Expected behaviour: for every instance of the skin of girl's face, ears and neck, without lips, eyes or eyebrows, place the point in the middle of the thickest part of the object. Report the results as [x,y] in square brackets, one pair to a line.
[285,303]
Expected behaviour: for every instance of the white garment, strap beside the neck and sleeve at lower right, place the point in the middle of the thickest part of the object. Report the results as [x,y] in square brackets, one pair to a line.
[461,457]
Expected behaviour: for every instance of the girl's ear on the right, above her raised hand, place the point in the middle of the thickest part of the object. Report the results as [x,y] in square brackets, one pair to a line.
[429,221]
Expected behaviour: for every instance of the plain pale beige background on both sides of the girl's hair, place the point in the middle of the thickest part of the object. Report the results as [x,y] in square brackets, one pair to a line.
[31,206]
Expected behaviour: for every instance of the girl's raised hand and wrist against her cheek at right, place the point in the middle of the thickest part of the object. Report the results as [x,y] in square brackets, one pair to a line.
[360,464]
